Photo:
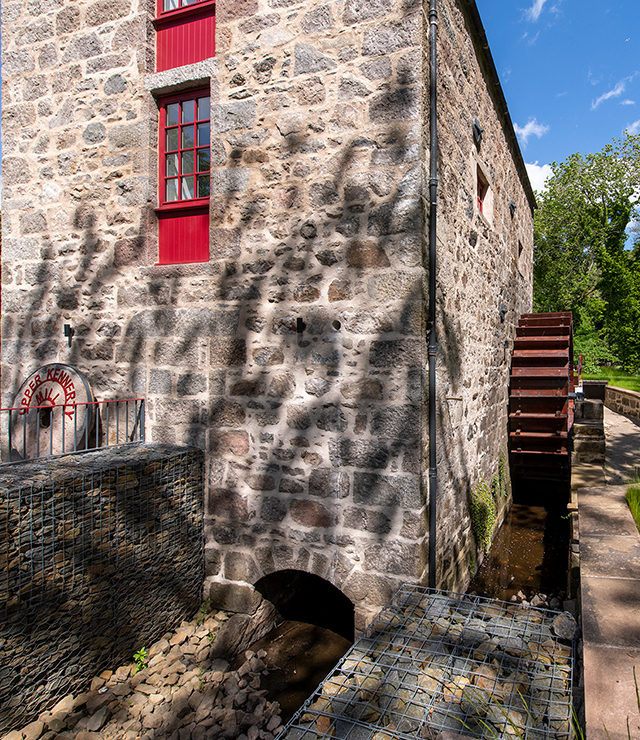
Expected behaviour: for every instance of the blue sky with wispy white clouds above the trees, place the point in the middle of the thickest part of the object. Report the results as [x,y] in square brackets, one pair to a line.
[570,70]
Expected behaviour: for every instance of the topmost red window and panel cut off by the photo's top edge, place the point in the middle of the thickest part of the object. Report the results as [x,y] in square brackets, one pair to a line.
[185,32]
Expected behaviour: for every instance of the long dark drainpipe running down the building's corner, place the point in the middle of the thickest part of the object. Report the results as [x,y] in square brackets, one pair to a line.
[433,209]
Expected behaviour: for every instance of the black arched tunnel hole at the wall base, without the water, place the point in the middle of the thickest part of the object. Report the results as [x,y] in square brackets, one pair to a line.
[305,597]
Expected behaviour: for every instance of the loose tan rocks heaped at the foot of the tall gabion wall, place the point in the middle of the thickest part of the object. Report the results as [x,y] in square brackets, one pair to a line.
[184,692]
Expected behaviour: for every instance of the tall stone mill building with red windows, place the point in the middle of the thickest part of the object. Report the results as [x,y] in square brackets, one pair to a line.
[272,309]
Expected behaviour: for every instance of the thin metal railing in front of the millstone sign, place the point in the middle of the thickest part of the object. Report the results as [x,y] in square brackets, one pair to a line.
[51,430]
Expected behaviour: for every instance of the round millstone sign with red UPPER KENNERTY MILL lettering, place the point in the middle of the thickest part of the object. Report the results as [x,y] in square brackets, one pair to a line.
[53,413]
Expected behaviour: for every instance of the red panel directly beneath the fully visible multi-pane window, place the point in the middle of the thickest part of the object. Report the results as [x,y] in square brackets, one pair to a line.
[183,237]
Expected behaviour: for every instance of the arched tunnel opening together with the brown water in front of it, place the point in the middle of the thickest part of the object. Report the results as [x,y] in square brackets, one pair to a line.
[316,630]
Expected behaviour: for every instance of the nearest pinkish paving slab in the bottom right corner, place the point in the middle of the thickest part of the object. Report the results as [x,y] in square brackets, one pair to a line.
[610,690]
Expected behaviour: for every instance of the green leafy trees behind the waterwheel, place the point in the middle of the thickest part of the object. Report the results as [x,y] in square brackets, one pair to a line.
[580,260]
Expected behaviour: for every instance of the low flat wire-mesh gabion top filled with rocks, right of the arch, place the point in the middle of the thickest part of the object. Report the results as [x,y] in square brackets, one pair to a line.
[434,661]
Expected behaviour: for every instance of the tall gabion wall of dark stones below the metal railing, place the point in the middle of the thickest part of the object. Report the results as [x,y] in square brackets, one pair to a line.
[100,554]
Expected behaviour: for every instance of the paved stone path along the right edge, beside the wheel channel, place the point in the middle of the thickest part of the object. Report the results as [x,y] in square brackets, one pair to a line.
[610,591]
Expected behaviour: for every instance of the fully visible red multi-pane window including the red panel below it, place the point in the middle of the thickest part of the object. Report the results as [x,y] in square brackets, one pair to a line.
[184,170]
